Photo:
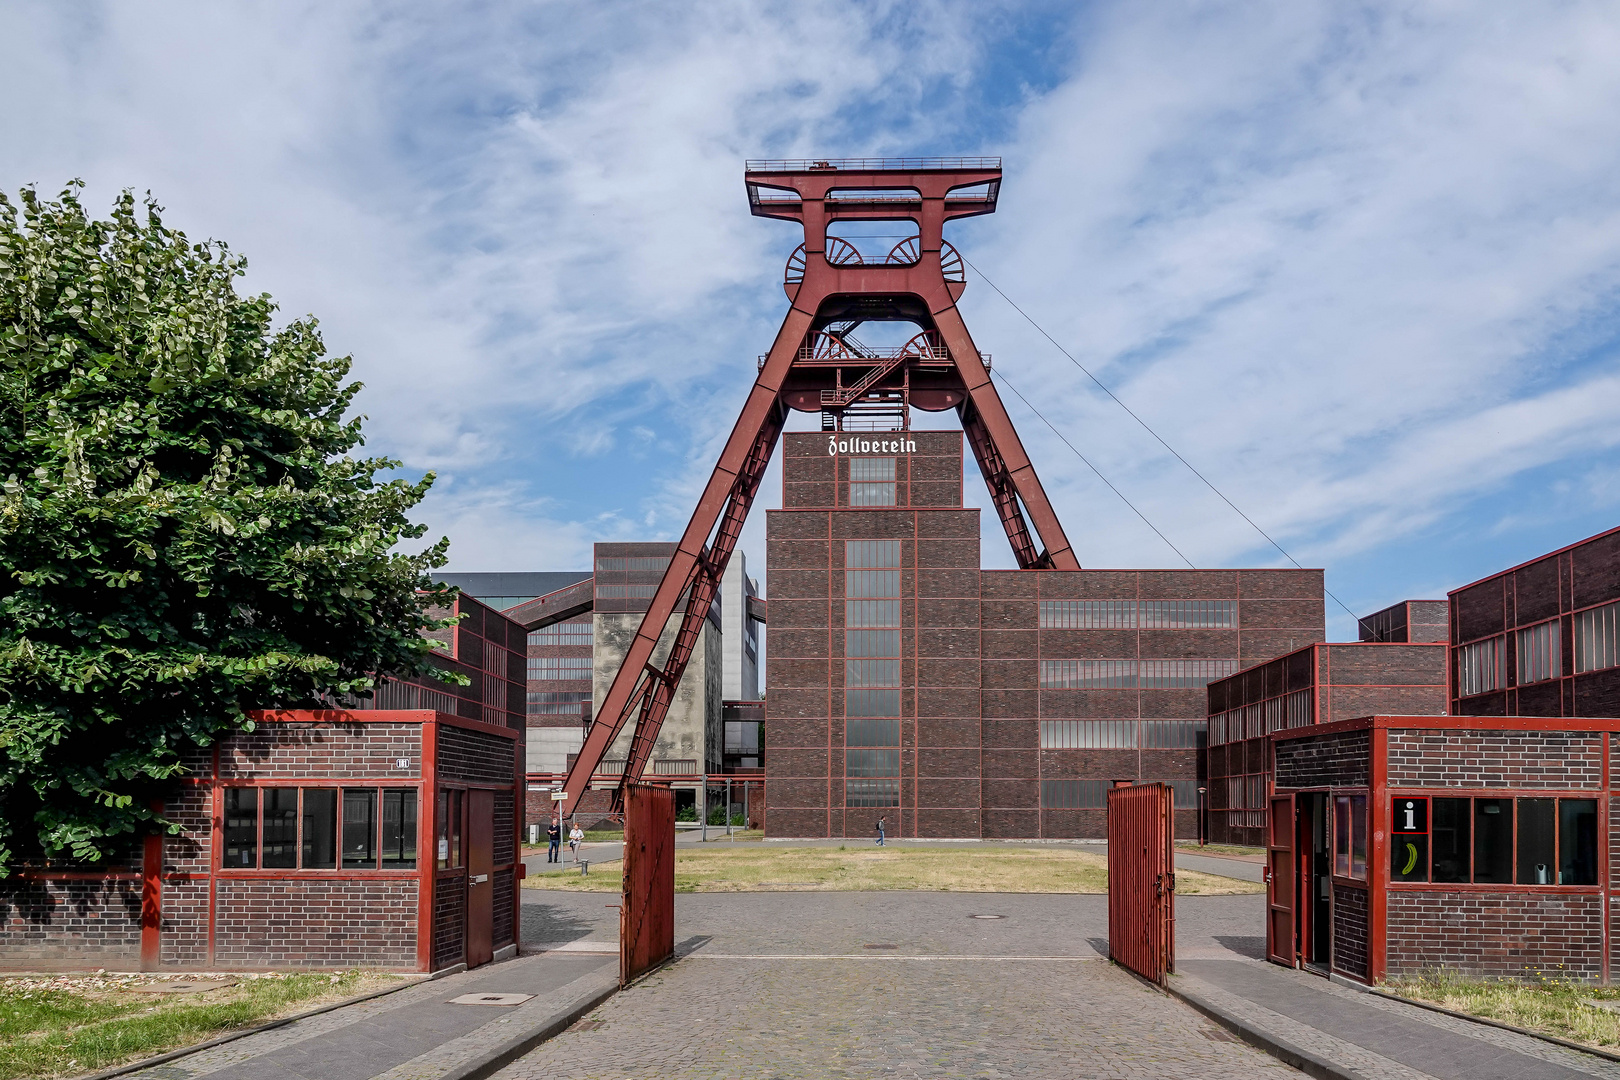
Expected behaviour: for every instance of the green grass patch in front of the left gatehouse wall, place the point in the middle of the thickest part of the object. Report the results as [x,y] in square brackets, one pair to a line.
[66,1026]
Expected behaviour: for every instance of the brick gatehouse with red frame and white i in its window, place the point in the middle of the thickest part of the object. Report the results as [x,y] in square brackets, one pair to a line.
[1485,846]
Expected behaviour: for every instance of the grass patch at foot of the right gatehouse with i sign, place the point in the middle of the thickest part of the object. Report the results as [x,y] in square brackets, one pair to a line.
[1545,1005]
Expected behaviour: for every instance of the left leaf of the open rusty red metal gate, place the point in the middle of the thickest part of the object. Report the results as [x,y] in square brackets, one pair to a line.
[647,917]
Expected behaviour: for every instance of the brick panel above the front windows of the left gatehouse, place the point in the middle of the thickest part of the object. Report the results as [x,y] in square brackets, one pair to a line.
[307,752]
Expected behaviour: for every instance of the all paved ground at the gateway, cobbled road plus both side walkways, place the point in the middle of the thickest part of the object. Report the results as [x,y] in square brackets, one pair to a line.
[780,985]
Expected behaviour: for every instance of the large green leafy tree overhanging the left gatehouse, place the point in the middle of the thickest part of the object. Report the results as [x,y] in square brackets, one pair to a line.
[185,534]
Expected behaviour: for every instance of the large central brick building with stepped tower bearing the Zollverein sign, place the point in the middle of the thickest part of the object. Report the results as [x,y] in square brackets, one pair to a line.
[906,682]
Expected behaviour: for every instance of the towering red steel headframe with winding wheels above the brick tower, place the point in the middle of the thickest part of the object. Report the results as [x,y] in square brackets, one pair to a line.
[837,291]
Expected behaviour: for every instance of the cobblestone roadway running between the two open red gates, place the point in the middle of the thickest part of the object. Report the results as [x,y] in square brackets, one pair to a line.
[944,1001]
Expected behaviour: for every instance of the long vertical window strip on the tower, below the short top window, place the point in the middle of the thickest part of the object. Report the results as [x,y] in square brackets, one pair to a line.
[872,673]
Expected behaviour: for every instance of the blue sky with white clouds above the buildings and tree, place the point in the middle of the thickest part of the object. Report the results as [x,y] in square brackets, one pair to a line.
[1358,263]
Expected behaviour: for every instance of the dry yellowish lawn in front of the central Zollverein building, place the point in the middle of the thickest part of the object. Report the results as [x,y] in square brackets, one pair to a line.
[757,869]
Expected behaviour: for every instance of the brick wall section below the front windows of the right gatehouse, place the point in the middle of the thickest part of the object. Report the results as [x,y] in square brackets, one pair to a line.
[1494,935]
